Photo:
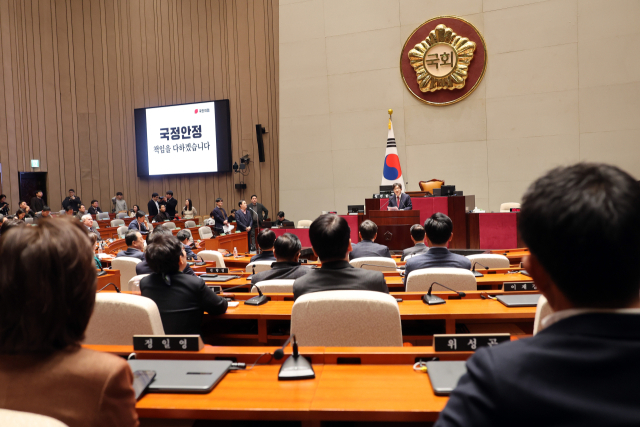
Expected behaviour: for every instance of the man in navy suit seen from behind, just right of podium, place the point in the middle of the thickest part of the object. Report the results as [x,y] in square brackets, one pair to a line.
[439,229]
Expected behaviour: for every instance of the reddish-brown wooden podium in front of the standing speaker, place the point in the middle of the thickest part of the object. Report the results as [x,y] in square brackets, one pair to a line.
[394,227]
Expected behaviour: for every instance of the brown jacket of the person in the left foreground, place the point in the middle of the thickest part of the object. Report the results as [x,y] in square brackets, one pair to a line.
[79,387]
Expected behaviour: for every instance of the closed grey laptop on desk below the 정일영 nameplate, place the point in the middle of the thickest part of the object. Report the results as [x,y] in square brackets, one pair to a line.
[183,376]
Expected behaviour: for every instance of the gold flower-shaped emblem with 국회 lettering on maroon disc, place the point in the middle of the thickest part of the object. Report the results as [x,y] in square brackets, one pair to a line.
[441,61]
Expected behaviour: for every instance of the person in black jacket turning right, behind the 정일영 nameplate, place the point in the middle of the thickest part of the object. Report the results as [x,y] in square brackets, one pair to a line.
[181,299]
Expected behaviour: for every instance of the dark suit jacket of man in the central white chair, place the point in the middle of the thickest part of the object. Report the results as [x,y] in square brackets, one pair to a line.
[339,276]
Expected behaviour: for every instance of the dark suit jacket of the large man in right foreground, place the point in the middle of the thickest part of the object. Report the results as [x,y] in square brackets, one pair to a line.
[580,371]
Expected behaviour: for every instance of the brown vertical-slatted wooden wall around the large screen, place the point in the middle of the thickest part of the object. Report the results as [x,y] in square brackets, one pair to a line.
[73,71]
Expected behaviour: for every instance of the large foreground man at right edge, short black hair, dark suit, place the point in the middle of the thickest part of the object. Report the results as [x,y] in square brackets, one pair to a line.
[582,367]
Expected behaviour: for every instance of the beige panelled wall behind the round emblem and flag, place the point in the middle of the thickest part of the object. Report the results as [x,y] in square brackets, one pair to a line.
[561,86]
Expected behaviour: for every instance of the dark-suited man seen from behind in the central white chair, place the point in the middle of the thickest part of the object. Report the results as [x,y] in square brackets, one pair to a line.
[329,235]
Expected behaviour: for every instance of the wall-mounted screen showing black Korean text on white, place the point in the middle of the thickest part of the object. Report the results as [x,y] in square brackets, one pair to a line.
[183,139]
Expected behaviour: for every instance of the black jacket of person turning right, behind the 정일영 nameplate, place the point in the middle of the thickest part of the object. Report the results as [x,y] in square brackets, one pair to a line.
[181,301]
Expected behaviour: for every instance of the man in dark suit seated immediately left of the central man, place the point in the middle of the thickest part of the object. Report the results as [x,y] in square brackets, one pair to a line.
[287,266]
